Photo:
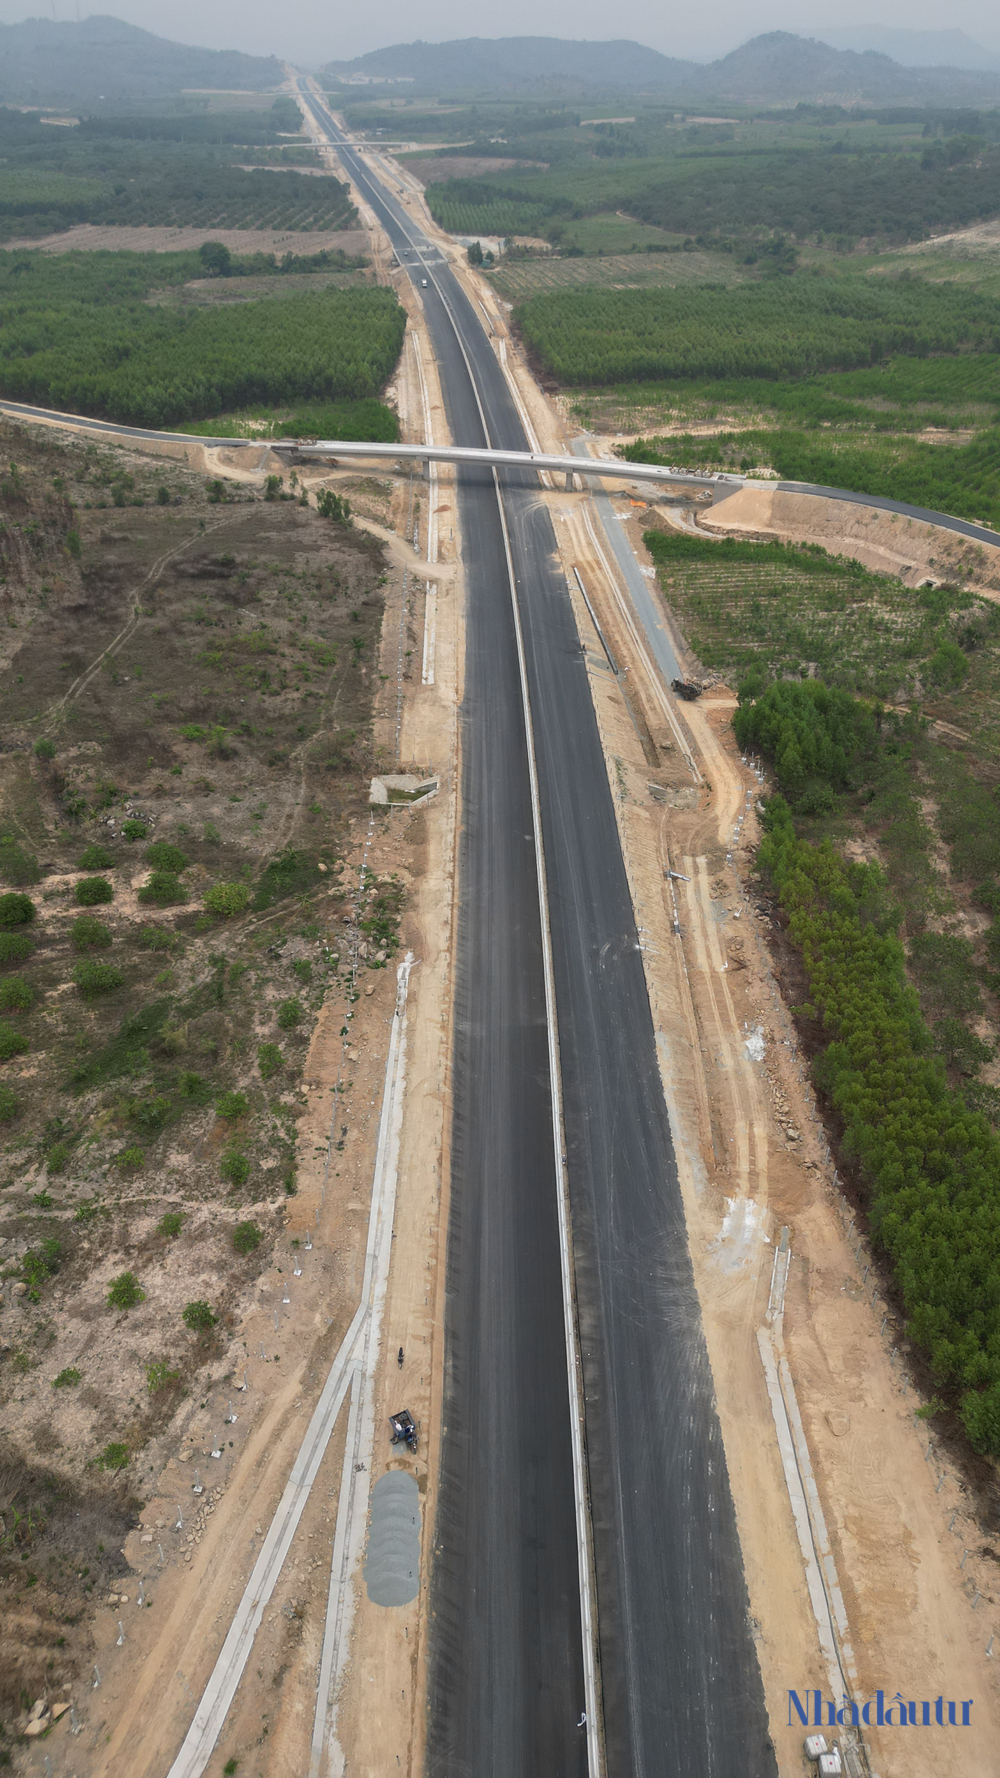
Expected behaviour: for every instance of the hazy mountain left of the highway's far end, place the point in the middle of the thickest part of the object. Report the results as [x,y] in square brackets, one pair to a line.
[108,65]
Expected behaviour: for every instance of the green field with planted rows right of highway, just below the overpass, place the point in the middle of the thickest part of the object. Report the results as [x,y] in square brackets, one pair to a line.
[867,636]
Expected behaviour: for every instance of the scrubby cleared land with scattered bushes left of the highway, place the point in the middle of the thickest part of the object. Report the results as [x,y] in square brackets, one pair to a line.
[152,1085]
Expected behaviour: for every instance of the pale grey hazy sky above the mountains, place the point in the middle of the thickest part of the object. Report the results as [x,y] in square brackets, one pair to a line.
[314,33]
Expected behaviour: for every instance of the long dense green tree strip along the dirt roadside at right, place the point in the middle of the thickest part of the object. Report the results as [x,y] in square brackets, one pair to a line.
[931,1165]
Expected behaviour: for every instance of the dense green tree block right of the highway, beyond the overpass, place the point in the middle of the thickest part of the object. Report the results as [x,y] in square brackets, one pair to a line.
[770,330]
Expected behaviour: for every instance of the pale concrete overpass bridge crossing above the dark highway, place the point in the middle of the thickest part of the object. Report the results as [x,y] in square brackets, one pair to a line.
[722,486]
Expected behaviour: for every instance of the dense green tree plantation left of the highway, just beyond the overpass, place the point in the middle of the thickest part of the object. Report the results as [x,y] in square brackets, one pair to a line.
[81,337]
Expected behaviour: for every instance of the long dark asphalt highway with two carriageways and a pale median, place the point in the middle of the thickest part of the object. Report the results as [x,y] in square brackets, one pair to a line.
[679,1674]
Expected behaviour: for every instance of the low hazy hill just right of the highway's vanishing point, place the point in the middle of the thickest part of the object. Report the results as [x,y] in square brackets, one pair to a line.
[517,65]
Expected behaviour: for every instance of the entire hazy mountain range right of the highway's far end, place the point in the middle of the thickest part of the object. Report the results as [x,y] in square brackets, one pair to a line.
[777,68]
